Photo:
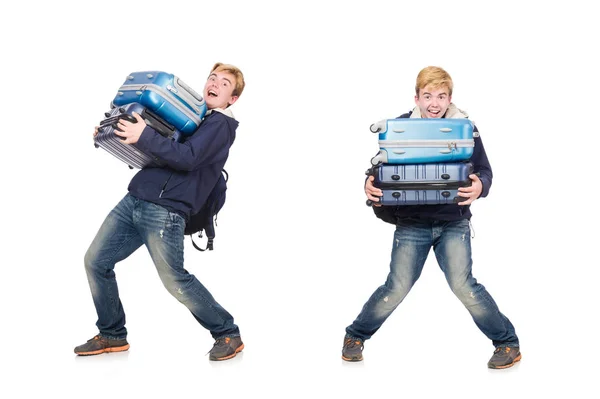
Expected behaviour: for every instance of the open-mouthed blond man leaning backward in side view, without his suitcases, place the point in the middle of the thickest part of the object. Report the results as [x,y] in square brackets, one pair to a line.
[154,214]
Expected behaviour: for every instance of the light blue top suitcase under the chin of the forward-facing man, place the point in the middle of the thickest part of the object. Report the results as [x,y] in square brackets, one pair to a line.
[415,141]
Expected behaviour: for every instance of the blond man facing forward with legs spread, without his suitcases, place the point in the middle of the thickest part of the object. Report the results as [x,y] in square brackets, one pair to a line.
[443,227]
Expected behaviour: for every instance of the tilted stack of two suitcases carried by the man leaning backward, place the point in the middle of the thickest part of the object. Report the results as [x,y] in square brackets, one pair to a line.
[165,103]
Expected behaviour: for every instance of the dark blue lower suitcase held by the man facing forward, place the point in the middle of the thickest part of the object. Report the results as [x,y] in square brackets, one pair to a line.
[423,184]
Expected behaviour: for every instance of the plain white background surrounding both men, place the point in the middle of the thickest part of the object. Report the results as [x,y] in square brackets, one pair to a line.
[297,252]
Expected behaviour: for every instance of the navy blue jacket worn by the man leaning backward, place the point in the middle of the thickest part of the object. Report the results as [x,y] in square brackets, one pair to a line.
[192,167]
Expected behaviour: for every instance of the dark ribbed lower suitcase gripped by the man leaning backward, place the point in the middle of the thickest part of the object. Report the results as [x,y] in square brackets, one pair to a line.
[129,153]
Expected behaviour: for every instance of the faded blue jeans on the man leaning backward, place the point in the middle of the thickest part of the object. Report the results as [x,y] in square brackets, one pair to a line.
[130,224]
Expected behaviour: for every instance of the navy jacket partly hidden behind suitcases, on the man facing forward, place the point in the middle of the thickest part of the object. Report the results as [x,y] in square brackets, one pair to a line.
[392,214]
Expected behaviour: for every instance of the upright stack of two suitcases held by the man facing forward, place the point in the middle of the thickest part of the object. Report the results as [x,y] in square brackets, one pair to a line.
[422,161]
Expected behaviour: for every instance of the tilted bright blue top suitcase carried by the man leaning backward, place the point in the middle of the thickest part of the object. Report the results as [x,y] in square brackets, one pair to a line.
[167,96]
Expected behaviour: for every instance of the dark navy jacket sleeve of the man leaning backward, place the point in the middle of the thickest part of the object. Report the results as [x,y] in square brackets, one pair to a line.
[207,145]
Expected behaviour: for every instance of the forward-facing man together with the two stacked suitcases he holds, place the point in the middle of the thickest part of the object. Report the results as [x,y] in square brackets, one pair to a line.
[425,190]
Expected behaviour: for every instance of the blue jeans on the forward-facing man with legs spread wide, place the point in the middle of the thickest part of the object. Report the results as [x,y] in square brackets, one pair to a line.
[451,243]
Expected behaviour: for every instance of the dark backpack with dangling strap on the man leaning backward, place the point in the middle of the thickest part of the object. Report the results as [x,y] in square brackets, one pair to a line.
[206,218]
